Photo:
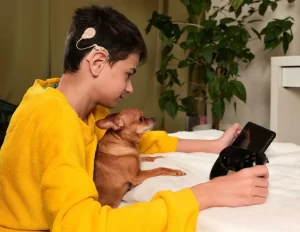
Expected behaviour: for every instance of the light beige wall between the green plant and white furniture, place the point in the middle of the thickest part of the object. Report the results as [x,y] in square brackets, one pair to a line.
[257,76]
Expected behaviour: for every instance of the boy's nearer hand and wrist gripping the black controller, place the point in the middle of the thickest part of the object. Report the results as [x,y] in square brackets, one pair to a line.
[246,187]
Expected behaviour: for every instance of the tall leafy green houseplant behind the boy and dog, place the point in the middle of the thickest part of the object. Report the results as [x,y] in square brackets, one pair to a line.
[216,45]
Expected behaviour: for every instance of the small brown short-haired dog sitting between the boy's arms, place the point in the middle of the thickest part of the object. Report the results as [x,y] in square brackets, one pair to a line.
[117,160]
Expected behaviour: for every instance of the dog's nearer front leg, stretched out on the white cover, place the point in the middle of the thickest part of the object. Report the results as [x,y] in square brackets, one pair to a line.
[145,174]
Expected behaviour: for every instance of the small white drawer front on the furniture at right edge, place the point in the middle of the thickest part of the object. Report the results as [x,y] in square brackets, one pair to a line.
[291,77]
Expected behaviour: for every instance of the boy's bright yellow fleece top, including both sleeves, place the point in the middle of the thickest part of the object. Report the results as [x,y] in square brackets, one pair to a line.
[46,174]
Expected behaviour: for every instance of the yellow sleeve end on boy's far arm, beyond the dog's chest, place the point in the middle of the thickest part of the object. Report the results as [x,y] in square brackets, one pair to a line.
[157,142]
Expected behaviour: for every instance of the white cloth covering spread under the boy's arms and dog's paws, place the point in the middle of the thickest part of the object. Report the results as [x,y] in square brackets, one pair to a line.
[280,213]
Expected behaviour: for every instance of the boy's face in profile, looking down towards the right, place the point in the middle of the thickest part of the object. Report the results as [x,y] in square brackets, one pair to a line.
[114,81]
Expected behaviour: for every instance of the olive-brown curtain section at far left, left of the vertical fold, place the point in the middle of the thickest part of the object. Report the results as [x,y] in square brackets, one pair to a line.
[24,40]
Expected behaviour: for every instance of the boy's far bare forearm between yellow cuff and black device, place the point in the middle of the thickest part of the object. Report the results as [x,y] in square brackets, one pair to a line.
[192,145]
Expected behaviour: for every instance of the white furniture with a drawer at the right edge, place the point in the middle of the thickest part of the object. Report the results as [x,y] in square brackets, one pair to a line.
[285,102]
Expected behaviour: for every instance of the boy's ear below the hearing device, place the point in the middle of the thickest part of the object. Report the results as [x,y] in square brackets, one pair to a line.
[97,60]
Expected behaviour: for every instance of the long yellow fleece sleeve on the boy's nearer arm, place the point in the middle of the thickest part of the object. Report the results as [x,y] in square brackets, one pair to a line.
[70,202]
